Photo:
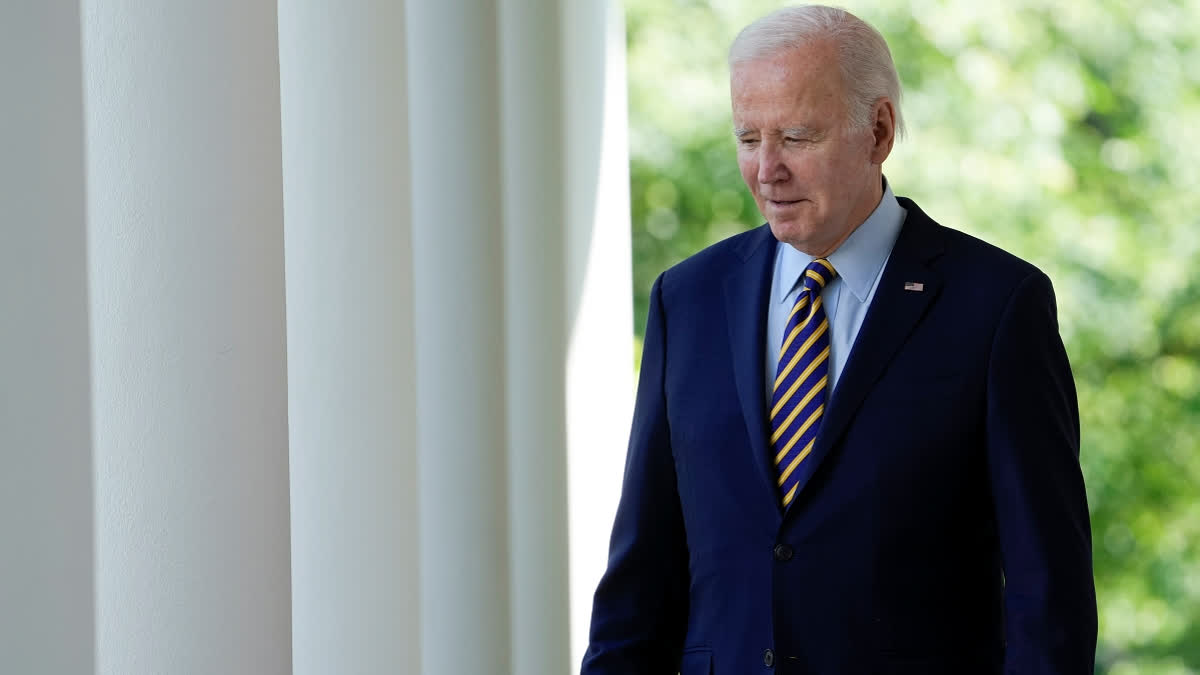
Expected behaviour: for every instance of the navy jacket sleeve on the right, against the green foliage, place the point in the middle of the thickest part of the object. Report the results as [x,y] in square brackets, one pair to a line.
[1041,506]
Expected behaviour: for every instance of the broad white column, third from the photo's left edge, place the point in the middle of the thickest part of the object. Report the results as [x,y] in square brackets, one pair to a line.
[351,365]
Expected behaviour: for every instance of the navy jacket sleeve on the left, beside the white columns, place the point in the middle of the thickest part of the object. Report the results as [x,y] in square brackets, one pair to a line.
[639,614]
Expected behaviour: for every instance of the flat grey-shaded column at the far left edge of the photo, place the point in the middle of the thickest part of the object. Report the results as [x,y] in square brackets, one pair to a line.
[46,554]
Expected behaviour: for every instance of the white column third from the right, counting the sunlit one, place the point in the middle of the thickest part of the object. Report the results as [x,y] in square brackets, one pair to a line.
[458,249]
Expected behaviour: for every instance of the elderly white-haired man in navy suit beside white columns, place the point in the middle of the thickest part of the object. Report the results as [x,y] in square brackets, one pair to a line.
[856,440]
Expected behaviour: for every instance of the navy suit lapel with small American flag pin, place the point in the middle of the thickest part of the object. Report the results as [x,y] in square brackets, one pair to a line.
[895,312]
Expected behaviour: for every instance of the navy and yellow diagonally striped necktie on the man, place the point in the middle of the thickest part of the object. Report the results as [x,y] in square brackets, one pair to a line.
[801,381]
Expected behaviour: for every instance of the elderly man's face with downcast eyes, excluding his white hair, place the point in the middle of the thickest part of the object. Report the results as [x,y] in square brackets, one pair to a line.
[814,178]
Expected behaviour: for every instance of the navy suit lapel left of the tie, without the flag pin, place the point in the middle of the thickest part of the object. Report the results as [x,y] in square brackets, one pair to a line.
[746,306]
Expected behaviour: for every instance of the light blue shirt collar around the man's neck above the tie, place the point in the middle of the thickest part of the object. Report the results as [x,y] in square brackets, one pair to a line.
[860,259]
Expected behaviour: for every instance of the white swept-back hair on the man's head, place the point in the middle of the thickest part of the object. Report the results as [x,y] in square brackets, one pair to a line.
[867,69]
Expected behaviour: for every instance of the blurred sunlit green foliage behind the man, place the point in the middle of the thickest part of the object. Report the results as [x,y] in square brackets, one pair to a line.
[1066,133]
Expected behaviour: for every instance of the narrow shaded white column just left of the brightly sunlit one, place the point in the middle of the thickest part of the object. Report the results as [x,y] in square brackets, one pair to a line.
[536,318]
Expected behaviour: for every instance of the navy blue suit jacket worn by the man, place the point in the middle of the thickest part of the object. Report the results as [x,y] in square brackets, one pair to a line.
[946,528]
